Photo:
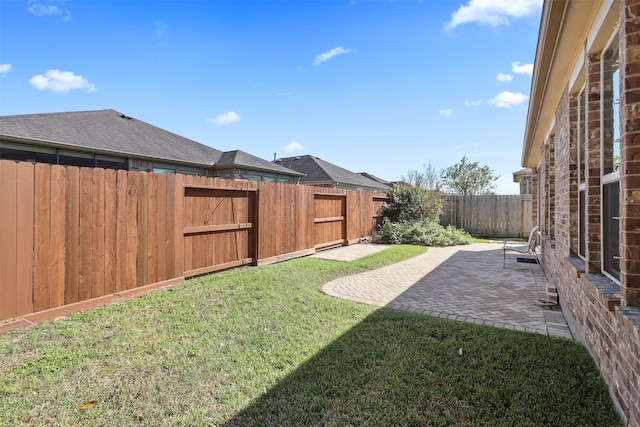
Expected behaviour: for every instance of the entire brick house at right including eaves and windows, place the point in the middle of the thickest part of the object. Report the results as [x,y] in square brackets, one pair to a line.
[582,143]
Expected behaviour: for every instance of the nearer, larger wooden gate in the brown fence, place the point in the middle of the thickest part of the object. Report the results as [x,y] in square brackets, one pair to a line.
[219,226]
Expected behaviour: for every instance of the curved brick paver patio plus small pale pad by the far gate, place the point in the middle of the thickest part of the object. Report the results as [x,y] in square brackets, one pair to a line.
[465,283]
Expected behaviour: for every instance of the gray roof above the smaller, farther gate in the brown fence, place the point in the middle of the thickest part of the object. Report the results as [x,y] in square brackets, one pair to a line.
[318,171]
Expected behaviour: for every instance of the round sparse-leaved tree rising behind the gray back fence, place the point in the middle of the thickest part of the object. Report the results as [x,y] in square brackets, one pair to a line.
[469,178]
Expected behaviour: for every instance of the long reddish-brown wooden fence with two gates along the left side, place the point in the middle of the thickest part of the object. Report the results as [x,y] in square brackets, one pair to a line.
[72,237]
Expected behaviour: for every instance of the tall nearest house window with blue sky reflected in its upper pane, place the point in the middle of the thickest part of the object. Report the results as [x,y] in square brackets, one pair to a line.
[610,155]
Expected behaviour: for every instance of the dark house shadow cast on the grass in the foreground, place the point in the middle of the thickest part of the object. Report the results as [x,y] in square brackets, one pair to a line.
[399,368]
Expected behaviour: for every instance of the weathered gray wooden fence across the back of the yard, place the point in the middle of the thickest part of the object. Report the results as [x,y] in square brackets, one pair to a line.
[490,216]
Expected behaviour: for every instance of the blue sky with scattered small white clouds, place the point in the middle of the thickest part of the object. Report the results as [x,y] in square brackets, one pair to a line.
[378,86]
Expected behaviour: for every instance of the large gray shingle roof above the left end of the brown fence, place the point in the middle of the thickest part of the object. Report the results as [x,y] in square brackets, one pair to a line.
[108,131]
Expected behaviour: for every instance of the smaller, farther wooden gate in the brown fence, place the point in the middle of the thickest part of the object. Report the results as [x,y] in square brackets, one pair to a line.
[329,220]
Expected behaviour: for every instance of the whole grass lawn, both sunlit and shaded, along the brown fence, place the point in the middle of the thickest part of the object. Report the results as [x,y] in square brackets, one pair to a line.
[263,346]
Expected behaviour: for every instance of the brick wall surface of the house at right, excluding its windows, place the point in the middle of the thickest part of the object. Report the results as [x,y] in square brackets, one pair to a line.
[604,313]
